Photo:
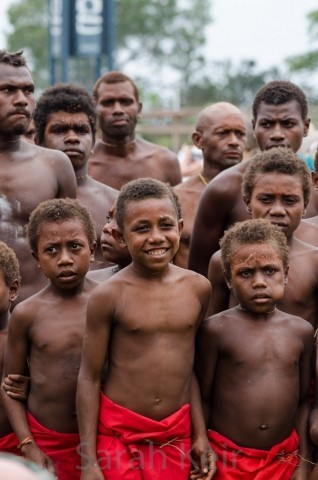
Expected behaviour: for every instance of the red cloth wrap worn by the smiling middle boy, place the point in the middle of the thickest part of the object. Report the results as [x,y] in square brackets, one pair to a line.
[133,447]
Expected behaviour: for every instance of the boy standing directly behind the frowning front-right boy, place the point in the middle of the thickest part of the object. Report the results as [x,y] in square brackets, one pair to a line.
[276,186]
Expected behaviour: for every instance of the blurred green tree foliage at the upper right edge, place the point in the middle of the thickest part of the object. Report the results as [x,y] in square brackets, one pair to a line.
[308,61]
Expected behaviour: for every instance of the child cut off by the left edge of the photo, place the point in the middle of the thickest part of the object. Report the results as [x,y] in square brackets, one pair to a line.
[9,286]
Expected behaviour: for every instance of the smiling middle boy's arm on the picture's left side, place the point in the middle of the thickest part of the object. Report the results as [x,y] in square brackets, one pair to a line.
[94,354]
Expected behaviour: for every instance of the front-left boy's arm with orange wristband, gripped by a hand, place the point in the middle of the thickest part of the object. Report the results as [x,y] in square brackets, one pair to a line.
[16,361]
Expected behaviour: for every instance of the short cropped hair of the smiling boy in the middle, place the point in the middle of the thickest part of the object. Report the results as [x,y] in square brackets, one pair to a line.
[142,189]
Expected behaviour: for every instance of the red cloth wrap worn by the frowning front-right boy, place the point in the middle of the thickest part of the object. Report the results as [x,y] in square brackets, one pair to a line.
[241,463]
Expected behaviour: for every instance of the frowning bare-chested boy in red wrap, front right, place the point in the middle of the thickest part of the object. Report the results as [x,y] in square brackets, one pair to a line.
[253,364]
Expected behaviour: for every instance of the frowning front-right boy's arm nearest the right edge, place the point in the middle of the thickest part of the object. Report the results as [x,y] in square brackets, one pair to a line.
[301,424]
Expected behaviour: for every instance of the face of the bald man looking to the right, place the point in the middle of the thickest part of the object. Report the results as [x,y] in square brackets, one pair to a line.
[222,140]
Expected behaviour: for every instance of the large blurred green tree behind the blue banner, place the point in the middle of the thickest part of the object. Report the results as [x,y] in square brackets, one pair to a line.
[161,33]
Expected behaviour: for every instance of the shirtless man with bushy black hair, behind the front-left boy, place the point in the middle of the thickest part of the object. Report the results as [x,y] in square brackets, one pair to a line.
[65,120]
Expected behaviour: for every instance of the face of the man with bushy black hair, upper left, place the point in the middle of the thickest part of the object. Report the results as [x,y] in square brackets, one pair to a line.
[72,134]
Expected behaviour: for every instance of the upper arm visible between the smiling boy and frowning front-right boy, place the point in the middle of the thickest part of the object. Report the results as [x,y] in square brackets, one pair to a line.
[220,296]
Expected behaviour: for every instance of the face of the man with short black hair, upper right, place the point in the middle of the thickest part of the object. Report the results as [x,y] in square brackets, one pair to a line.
[280,125]
